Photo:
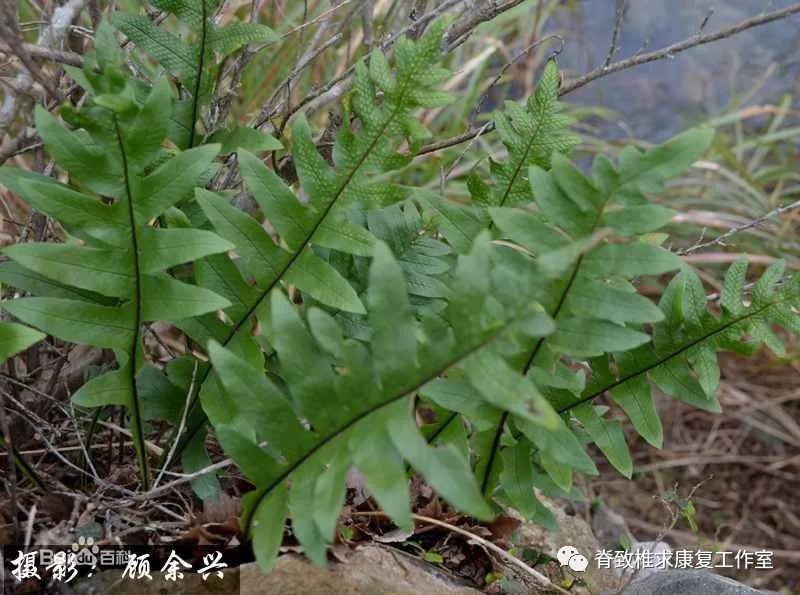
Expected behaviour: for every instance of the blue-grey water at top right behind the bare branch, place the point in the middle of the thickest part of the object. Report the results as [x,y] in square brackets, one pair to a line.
[659,99]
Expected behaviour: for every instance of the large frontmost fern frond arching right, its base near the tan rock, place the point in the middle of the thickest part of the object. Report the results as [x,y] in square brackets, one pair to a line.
[354,400]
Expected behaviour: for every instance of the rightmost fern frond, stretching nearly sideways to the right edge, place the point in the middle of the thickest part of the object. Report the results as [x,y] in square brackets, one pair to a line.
[682,359]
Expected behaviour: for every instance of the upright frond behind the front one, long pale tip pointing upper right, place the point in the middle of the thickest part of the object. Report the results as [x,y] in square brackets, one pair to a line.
[596,308]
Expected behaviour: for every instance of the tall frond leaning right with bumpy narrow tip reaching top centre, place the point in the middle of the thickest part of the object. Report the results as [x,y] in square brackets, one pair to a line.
[352,181]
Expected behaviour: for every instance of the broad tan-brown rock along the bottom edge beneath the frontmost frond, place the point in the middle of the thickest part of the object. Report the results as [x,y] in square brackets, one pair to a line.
[369,570]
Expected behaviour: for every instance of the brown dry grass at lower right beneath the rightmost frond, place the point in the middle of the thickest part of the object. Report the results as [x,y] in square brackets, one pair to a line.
[744,463]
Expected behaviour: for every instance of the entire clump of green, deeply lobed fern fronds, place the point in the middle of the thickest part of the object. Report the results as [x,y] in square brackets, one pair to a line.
[316,338]
